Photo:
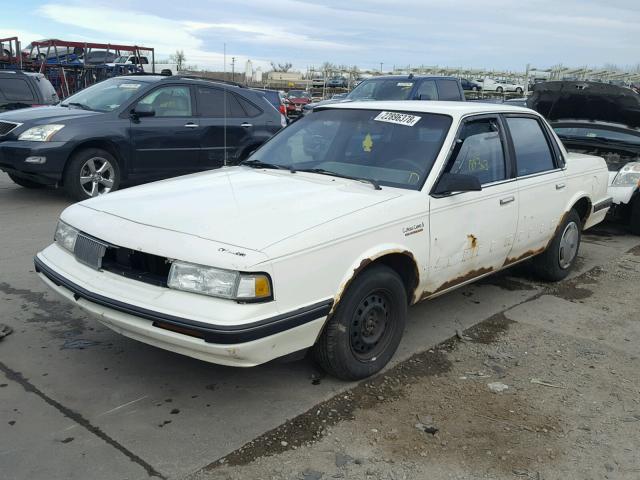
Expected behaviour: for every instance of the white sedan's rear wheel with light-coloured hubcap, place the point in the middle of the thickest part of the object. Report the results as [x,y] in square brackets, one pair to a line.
[558,259]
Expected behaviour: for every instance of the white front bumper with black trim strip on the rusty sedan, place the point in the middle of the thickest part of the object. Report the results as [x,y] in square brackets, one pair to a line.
[243,344]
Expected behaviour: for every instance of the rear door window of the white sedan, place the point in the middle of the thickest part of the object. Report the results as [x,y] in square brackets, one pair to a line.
[533,154]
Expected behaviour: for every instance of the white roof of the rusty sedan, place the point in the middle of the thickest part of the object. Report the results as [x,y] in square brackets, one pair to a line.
[455,109]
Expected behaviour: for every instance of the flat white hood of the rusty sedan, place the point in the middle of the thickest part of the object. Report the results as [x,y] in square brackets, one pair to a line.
[240,206]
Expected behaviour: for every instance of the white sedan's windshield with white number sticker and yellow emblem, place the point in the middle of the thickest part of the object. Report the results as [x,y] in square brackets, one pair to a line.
[390,148]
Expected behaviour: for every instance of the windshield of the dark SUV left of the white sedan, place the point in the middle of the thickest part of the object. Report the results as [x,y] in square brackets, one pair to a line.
[104,96]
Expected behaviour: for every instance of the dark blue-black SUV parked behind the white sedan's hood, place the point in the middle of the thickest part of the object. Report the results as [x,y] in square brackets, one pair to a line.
[133,129]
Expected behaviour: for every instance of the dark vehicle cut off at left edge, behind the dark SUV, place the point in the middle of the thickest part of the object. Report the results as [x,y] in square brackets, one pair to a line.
[25,89]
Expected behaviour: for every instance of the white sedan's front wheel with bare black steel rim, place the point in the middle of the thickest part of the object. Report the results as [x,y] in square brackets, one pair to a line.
[363,333]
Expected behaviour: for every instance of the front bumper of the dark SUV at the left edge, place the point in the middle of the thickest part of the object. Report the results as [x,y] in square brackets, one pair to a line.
[13,154]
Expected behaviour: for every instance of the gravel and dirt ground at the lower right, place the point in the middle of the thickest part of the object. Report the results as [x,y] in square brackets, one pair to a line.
[549,389]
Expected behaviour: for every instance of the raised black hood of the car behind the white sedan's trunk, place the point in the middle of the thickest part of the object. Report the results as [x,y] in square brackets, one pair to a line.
[591,101]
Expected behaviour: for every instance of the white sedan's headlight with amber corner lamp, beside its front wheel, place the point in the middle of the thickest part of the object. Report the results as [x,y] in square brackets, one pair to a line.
[219,283]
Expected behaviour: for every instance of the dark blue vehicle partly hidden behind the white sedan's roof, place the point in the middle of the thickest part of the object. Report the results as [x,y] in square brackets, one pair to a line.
[397,87]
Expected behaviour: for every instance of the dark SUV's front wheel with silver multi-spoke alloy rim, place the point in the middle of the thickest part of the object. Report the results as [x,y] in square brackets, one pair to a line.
[79,167]
